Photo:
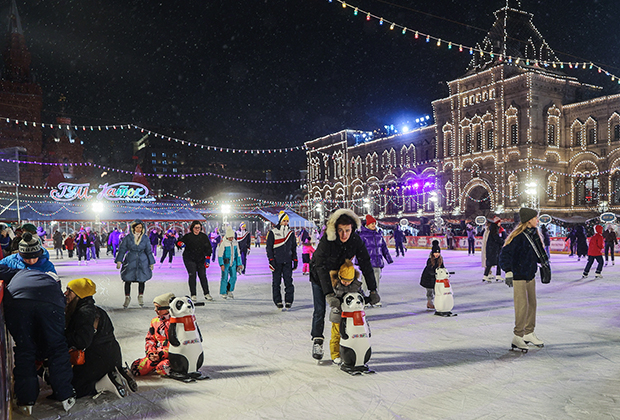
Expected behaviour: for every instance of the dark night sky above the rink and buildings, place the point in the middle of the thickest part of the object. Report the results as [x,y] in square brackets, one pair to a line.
[268,74]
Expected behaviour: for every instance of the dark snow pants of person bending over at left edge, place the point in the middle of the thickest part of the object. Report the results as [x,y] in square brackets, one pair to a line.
[38,329]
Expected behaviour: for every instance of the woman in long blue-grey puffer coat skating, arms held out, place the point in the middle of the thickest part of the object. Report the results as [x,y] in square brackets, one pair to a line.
[135,256]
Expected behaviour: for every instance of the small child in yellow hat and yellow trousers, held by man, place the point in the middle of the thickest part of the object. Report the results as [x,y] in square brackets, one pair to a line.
[346,280]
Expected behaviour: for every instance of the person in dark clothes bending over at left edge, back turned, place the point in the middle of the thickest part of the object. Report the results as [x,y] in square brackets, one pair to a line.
[34,311]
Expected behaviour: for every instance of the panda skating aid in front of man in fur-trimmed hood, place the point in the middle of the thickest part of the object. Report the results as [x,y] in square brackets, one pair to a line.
[355,348]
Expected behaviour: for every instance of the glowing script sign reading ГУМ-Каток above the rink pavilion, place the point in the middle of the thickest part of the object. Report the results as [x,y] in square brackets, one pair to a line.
[122,191]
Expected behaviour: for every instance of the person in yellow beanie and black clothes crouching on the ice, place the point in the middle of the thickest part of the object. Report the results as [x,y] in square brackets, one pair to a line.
[89,329]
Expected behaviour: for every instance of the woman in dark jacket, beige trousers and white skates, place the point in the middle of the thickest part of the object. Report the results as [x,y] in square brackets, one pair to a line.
[519,258]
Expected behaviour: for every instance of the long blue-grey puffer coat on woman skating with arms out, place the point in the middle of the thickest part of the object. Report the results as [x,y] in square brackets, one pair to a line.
[136,259]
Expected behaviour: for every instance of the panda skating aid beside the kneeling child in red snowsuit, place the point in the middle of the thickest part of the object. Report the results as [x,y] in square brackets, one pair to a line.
[185,351]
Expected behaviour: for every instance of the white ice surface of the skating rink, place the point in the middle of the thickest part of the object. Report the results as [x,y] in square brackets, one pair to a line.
[428,367]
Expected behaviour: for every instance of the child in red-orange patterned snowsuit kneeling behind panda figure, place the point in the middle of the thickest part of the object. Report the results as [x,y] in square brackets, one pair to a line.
[156,346]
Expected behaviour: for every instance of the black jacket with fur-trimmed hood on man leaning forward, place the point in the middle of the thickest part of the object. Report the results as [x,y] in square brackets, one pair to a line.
[330,254]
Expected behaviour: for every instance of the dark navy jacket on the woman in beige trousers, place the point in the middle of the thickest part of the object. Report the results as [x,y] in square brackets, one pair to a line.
[519,256]
